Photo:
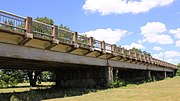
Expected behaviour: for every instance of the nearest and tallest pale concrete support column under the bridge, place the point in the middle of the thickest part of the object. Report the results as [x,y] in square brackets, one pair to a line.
[109,75]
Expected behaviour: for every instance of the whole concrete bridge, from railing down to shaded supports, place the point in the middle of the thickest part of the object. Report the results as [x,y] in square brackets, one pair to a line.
[78,60]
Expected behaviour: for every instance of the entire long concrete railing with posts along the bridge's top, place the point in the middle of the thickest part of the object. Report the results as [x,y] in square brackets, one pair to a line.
[18,24]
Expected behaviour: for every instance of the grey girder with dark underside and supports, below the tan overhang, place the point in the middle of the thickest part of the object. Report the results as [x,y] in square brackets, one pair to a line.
[75,70]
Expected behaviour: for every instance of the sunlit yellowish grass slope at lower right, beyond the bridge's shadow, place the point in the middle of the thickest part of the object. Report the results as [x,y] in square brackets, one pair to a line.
[165,90]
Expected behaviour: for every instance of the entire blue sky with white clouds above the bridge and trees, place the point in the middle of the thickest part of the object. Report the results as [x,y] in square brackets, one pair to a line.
[151,25]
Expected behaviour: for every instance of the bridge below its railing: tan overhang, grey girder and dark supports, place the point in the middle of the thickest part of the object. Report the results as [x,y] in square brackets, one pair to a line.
[73,69]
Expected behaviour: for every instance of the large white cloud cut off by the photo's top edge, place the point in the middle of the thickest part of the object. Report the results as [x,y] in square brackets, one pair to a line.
[106,7]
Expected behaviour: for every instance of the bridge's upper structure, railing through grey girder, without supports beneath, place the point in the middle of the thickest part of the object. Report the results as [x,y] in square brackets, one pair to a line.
[24,38]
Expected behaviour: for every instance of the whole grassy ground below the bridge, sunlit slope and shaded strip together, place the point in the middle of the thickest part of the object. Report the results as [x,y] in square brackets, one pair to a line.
[165,90]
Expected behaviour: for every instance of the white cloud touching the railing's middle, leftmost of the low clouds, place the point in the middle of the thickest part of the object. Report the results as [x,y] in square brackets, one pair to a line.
[108,35]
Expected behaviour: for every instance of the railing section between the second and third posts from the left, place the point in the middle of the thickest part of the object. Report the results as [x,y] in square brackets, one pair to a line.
[65,36]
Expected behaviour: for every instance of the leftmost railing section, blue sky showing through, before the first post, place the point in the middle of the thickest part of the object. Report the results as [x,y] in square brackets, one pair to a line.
[12,22]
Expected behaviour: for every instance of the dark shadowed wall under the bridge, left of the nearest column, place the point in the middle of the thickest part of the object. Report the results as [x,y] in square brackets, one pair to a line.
[81,77]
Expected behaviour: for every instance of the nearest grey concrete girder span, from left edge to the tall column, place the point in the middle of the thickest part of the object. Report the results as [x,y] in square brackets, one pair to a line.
[14,51]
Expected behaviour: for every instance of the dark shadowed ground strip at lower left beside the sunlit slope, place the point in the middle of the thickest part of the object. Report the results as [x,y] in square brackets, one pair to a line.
[44,93]
